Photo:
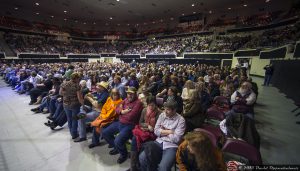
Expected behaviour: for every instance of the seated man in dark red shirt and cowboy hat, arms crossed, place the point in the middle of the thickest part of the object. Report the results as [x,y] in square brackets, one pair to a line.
[129,114]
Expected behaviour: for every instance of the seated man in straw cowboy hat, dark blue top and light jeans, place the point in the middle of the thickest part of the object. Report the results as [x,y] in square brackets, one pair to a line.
[97,100]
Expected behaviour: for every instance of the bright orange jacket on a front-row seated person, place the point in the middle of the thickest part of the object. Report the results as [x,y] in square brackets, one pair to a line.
[108,113]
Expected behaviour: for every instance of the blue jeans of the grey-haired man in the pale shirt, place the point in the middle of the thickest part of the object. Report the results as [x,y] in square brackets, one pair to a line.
[166,163]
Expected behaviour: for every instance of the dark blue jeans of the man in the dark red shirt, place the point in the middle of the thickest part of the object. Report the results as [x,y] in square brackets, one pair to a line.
[118,142]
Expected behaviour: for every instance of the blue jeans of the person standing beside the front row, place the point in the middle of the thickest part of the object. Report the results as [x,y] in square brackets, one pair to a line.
[72,123]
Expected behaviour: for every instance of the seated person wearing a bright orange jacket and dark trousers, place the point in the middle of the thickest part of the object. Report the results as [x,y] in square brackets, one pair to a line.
[107,115]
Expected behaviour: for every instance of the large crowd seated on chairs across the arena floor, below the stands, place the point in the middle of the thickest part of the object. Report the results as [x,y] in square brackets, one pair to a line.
[152,105]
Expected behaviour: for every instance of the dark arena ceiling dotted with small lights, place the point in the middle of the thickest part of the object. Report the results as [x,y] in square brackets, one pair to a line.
[99,14]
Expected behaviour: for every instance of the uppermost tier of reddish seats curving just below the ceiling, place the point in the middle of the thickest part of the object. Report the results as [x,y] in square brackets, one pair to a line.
[257,19]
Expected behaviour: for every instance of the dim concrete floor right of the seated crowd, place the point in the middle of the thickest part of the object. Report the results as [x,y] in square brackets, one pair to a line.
[277,126]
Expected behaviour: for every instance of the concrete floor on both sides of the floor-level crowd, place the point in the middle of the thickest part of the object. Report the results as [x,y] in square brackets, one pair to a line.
[26,144]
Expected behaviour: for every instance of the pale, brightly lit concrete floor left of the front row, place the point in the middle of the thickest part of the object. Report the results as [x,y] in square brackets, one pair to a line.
[26,144]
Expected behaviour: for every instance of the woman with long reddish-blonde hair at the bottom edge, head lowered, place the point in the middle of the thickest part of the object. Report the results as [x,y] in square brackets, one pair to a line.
[197,153]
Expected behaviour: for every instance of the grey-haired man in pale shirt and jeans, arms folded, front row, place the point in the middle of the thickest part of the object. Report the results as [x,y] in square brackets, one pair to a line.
[169,129]
